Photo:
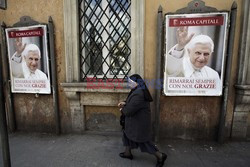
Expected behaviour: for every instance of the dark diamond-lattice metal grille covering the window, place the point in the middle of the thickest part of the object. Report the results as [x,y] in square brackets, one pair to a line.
[104,39]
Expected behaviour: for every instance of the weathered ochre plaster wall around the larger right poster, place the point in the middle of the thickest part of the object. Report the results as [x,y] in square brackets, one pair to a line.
[188,117]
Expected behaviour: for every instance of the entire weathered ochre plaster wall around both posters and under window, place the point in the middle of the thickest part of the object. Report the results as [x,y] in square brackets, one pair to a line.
[182,117]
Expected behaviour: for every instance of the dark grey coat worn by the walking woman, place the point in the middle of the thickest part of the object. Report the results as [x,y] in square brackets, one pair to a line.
[137,117]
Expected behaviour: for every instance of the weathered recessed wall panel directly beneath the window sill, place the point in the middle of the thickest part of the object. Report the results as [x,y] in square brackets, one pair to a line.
[101,112]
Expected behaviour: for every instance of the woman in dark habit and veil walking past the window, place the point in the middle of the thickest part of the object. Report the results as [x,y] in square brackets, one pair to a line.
[137,130]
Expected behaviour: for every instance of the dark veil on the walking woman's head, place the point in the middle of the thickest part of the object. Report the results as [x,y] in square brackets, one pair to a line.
[141,85]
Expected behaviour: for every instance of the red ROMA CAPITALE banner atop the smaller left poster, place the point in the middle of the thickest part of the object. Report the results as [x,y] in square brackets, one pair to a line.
[26,33]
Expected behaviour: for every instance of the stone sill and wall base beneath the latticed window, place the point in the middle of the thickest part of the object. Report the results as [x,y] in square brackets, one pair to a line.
[94,109]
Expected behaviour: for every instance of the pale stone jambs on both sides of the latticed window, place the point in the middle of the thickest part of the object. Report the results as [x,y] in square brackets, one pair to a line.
[71,39]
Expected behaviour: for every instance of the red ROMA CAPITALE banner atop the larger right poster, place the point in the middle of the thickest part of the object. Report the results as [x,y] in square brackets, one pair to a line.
[197,21]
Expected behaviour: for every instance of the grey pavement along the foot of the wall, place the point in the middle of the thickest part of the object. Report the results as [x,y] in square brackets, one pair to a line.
[89,150]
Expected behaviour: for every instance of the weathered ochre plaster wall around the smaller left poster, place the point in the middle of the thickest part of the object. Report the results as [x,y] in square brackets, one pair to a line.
[36,113]
